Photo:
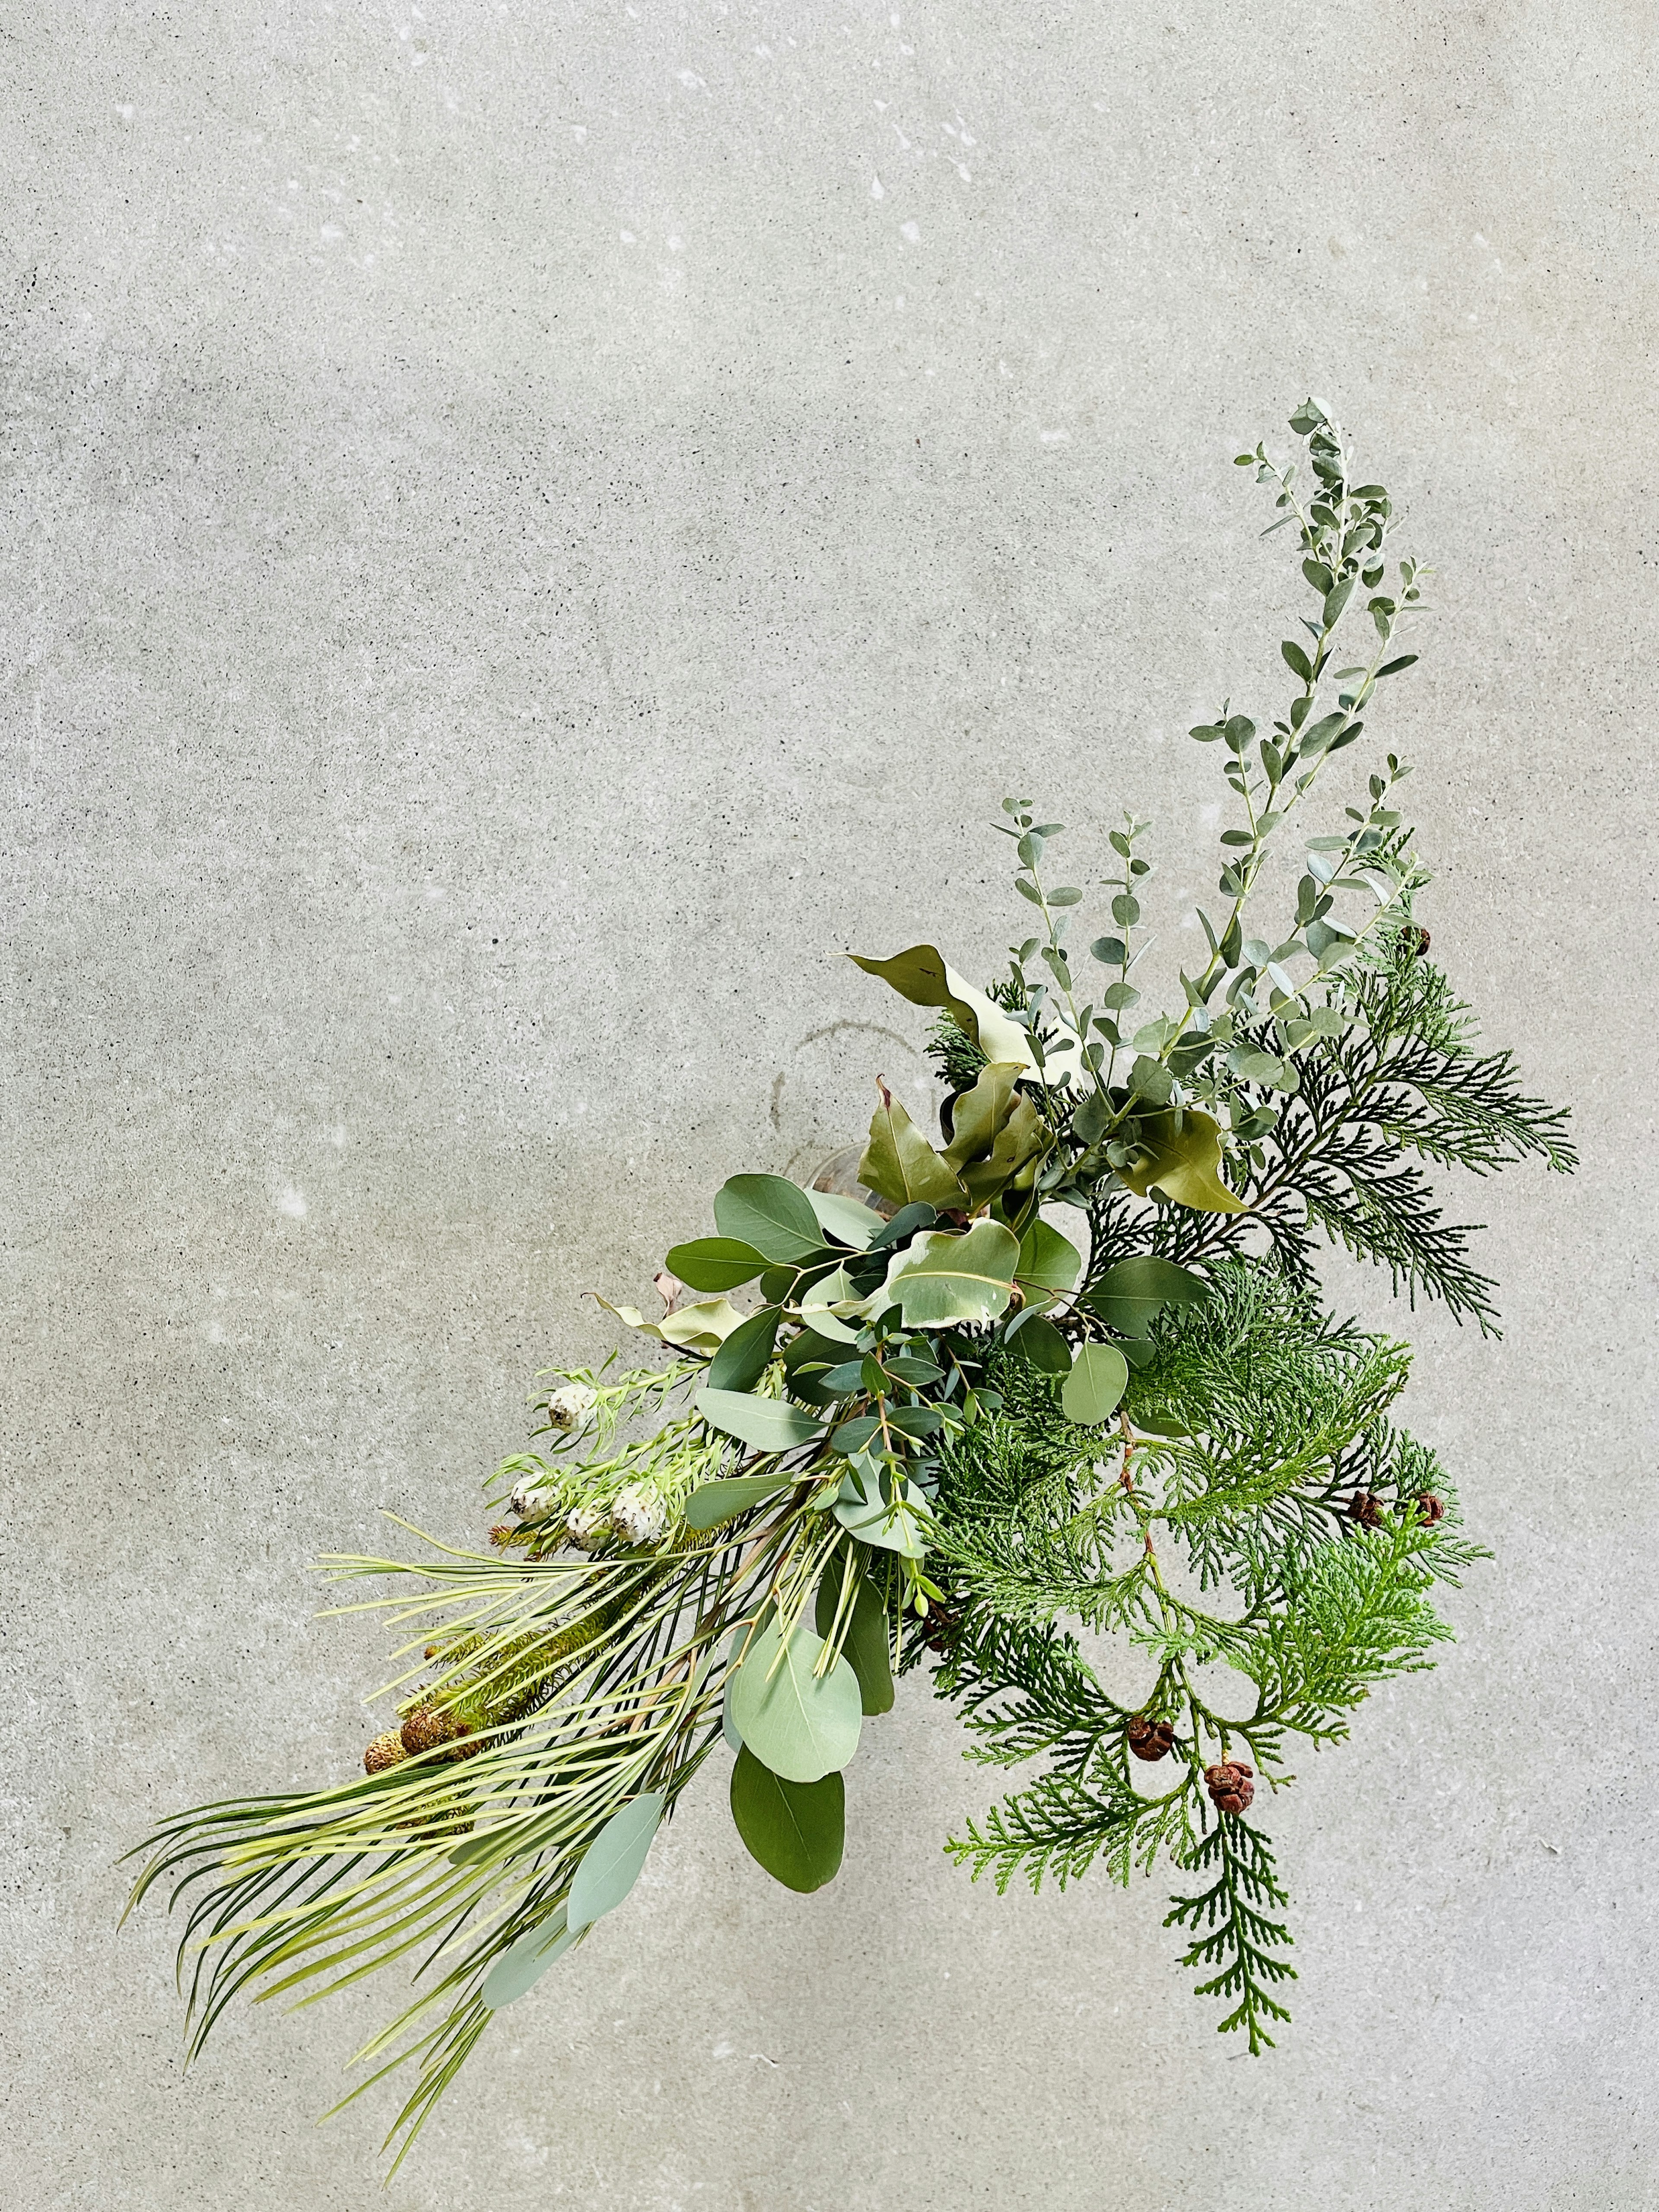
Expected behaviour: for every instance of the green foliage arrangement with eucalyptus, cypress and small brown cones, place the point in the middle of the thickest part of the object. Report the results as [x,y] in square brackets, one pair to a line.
[948,1432]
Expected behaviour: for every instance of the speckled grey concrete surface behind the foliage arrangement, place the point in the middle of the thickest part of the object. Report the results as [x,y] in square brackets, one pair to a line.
[528,532]
